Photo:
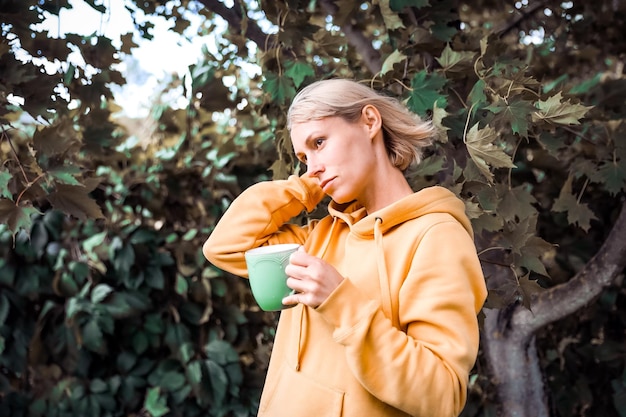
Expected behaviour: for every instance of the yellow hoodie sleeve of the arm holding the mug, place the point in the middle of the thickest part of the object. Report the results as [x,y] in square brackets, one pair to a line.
[423,370]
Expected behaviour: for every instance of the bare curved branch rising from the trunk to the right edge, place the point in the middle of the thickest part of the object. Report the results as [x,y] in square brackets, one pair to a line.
[563,300]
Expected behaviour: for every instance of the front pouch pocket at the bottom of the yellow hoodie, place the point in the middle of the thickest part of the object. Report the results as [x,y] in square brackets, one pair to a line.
[294,394]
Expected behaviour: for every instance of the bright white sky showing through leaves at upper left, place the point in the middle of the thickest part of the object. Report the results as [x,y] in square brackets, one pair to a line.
[150,64]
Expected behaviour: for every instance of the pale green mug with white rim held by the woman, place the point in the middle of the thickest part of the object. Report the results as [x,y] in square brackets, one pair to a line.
[266,272]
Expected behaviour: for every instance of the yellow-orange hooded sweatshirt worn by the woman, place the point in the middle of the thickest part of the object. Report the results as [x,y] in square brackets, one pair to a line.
[399,335]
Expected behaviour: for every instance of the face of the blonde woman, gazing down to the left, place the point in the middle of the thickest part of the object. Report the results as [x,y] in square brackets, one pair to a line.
[339,154]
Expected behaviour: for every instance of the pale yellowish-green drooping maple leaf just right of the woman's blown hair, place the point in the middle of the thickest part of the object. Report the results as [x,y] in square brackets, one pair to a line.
[480,145]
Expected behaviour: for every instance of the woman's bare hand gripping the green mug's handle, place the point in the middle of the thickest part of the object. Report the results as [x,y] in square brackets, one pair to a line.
[312,279]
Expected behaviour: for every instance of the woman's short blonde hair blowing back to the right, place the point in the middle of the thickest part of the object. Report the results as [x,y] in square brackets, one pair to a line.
[405,133]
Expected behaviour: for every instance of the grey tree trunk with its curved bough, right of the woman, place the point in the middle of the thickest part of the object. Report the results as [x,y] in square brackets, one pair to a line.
[508,337]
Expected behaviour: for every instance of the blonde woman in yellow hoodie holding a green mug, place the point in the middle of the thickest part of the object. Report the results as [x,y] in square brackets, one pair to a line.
[387,286]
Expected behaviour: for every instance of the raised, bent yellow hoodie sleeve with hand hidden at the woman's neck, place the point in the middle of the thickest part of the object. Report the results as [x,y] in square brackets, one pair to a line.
[259,216]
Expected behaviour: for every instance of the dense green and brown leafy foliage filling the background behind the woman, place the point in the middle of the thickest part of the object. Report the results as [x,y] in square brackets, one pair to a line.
[101,272]
